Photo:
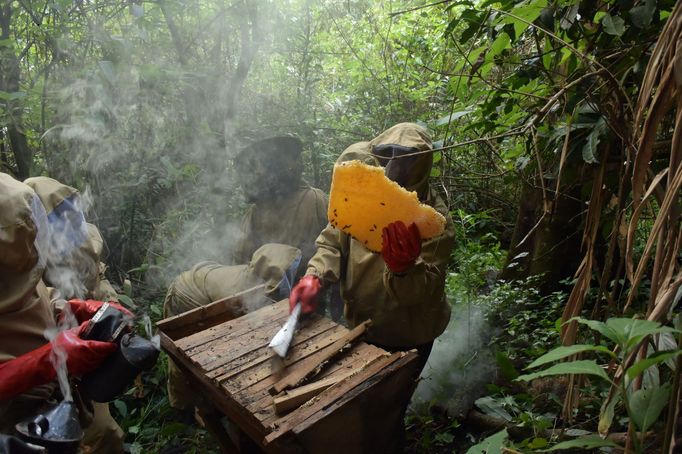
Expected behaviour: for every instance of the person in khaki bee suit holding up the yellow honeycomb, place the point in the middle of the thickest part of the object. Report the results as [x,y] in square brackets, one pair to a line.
[402,289]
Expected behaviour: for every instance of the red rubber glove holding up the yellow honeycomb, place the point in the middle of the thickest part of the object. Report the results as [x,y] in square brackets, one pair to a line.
[401,245]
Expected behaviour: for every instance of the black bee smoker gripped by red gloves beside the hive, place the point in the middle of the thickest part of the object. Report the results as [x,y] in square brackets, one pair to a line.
[118,371]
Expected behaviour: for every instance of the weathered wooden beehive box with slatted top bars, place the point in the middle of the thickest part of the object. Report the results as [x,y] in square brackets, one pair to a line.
[231,365]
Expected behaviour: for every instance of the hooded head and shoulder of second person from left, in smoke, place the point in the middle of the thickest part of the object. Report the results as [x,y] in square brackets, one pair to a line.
[74,246]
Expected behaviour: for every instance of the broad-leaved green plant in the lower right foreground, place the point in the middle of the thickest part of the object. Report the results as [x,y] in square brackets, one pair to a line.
[631,383]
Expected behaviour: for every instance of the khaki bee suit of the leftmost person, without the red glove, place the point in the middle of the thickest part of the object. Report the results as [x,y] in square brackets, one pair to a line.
[26,312]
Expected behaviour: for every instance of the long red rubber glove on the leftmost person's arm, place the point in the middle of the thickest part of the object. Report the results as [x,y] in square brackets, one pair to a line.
[35,367]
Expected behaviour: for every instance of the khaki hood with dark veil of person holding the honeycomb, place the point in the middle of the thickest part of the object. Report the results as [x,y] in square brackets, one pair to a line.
[403,150]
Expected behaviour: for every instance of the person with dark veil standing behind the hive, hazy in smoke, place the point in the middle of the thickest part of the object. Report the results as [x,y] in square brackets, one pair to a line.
[284,208]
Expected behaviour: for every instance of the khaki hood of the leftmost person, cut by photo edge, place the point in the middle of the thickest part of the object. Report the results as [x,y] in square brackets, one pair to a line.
[22,242]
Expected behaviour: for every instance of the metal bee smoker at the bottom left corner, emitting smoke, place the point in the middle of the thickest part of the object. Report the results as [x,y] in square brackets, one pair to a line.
[58,429]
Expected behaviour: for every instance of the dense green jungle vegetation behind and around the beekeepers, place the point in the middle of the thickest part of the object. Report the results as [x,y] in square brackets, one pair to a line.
[557,127]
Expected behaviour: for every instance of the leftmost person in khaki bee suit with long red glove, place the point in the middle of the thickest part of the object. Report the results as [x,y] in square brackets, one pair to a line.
[27,375]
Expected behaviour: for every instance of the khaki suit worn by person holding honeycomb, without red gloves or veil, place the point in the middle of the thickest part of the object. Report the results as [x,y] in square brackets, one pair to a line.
[406,310]
